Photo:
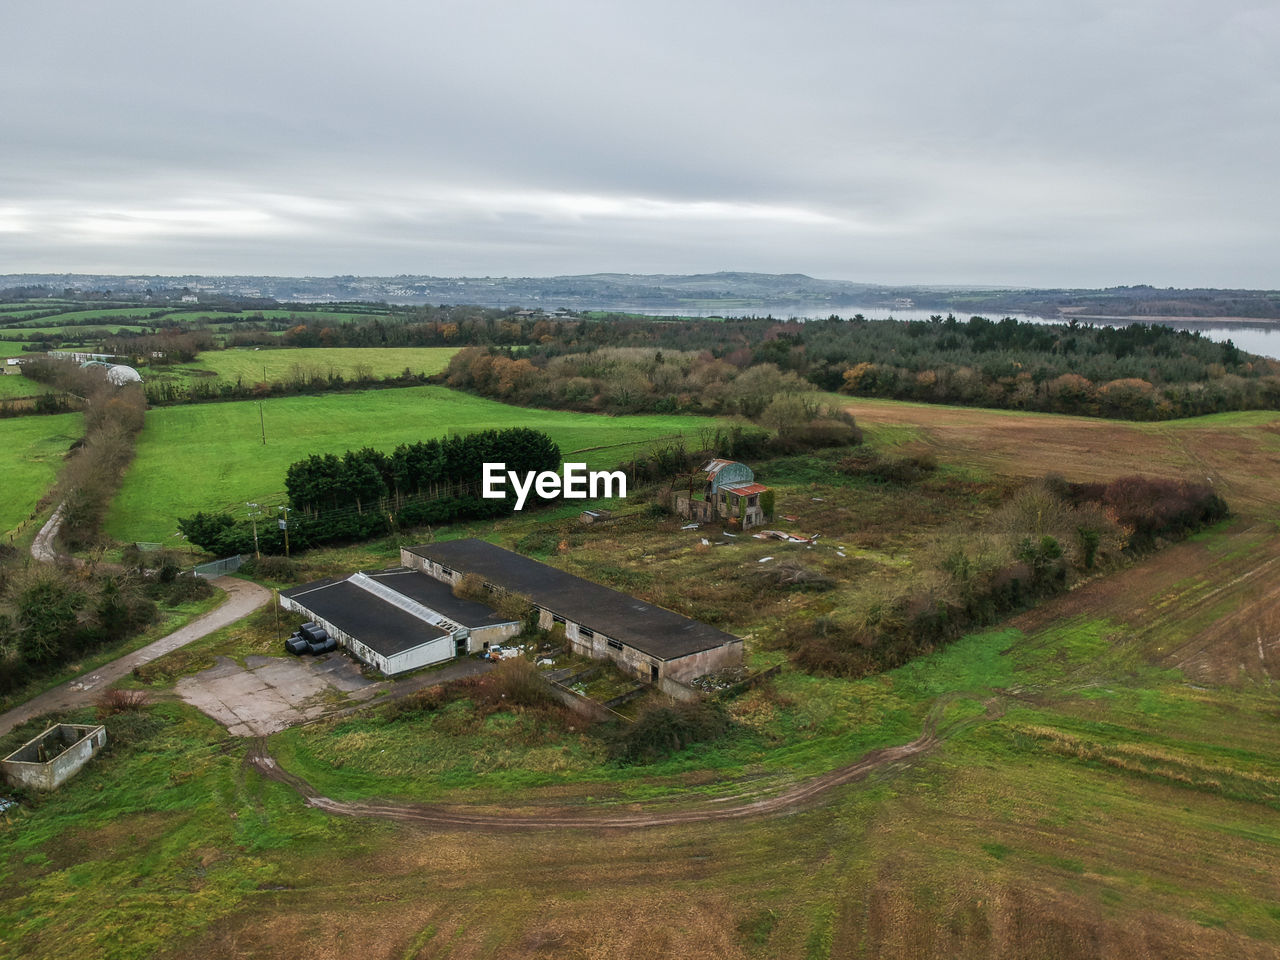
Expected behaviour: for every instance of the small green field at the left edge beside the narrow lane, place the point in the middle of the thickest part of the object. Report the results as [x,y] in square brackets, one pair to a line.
[34,449]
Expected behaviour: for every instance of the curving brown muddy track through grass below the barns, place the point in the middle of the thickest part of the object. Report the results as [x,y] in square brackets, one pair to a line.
[730,808]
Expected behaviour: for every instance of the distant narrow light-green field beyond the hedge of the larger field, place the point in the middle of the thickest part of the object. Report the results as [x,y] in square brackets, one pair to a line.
[277,365]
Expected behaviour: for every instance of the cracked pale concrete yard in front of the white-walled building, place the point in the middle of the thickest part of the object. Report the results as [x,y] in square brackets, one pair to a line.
[271,693]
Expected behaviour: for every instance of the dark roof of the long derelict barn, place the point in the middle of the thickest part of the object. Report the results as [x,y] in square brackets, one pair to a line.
[652,630]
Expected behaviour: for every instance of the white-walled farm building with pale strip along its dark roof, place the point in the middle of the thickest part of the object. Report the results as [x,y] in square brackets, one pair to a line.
[399,620]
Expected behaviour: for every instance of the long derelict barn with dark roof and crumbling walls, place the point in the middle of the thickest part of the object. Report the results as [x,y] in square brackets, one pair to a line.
[644,641]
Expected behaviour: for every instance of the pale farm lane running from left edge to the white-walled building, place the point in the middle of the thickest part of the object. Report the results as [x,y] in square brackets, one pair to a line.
[243,600]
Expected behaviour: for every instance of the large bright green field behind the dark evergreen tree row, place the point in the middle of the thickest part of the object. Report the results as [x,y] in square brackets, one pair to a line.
[211,456]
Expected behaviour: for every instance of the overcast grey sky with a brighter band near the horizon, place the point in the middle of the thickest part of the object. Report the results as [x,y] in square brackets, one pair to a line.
[920,141]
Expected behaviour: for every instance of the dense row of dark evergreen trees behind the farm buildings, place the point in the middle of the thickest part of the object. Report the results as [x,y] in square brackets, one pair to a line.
[368,493]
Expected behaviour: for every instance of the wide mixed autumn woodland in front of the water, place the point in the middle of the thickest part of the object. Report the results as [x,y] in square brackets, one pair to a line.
[1135,373]
